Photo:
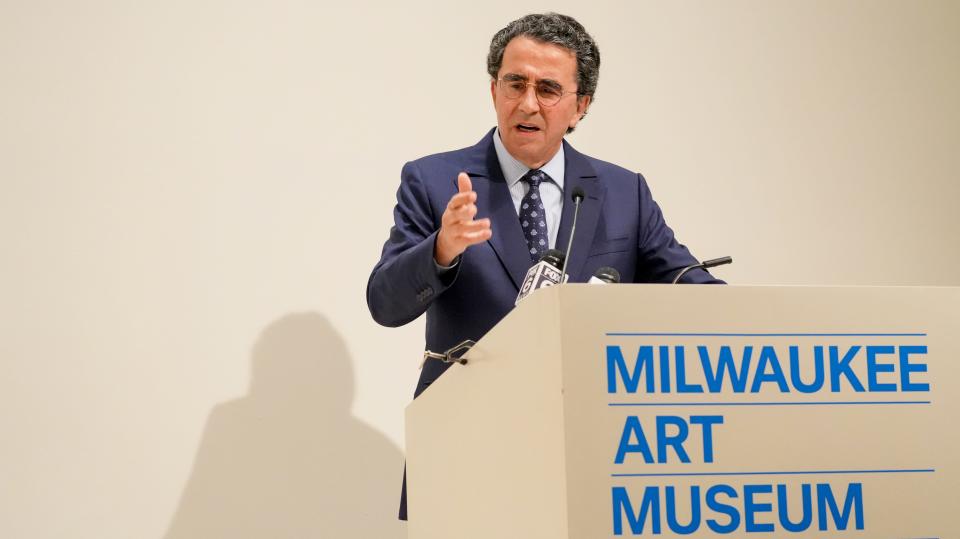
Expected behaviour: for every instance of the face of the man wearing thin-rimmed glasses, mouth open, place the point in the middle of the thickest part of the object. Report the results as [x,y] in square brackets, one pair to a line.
[532,132]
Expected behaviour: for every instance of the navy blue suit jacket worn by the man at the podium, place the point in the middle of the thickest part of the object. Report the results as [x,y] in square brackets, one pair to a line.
[619,225]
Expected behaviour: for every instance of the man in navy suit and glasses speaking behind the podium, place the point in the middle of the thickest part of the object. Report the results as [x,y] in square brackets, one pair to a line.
[469,223]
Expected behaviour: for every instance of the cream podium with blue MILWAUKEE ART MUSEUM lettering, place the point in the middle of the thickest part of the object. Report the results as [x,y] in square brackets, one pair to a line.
[705,411]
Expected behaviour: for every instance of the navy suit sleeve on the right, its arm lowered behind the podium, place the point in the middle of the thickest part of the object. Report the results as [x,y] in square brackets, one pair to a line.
[661,256]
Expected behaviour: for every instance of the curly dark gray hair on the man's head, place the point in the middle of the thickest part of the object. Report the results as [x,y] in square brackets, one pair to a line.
[557,29]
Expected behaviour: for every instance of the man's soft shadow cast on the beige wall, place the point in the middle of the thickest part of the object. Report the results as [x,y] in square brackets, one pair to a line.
[289,460]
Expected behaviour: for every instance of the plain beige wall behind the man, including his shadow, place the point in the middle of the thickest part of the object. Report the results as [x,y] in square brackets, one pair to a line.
[192,195]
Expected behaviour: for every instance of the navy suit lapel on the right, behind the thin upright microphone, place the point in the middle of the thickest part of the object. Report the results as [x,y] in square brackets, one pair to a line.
[579,172]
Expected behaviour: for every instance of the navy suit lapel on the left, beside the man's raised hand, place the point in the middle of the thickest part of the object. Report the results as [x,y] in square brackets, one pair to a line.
[494,201]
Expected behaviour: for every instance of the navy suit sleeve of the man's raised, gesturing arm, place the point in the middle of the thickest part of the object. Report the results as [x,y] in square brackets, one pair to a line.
[406,280]
